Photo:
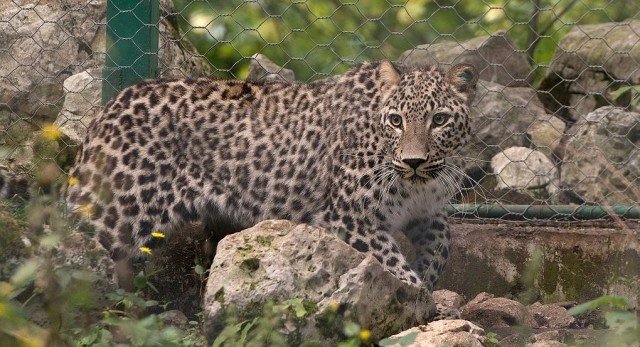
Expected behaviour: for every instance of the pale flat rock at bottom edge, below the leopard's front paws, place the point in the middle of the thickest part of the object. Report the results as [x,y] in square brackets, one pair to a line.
[454,332]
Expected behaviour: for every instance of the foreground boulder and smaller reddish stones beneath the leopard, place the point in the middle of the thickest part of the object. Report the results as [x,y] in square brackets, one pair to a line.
[278,261]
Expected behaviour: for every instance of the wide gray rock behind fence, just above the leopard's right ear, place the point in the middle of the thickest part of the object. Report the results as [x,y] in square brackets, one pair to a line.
[496,57]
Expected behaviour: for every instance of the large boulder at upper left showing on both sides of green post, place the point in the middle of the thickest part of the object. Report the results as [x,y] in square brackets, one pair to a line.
[45,42]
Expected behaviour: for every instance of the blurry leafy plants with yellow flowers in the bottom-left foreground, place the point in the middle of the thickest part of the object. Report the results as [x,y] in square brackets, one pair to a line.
[48,301]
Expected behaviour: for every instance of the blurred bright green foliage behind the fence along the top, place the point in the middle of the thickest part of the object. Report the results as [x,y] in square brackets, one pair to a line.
[316,38]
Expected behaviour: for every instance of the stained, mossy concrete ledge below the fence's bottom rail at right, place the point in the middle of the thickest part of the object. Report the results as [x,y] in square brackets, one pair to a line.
[566,261]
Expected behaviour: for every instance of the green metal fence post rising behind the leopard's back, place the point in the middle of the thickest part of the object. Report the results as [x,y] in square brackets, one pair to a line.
[132,44]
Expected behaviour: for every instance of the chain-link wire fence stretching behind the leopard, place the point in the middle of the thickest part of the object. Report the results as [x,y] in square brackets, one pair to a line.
[556,122]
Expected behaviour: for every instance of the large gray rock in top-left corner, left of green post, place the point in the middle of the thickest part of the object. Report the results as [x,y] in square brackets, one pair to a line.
[42,45]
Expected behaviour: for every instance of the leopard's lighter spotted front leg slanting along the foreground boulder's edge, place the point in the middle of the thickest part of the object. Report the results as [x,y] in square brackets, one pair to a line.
[383,247]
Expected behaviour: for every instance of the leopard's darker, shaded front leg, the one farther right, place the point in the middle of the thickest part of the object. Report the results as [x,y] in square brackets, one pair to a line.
[431,240]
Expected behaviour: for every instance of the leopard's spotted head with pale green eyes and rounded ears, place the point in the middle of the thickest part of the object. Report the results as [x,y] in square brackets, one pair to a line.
[426,119]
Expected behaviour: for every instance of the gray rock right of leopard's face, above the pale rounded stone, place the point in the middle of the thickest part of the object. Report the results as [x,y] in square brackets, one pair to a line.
[500,119]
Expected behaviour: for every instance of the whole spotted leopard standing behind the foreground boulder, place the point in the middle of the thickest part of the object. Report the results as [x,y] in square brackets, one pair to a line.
[363,154]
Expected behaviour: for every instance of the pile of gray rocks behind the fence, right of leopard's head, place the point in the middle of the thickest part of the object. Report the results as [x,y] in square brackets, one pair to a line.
[570,141]
